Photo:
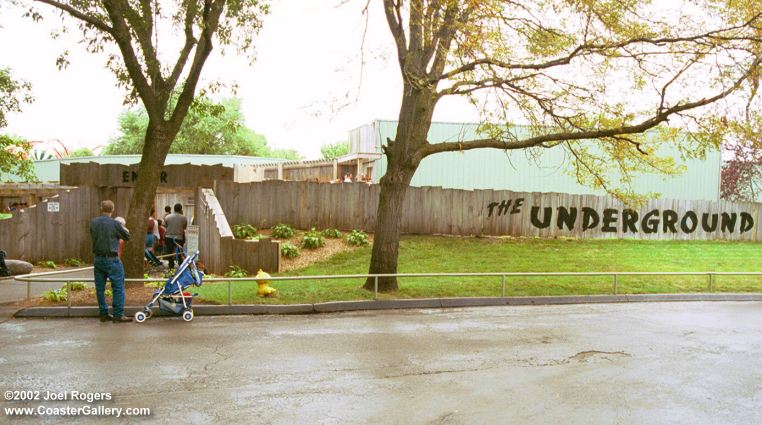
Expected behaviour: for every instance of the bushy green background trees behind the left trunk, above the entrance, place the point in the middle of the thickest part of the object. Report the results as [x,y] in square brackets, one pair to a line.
[209,128]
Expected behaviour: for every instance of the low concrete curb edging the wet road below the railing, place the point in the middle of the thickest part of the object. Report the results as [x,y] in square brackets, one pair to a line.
[339,306]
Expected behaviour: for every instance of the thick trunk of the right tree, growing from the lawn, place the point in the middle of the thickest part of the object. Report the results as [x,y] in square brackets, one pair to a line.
[402,160]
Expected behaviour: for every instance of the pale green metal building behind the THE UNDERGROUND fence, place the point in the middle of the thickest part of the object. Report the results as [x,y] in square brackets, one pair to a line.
[515,170]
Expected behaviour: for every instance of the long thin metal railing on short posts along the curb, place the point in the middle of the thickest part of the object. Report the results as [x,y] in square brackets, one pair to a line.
[29,279]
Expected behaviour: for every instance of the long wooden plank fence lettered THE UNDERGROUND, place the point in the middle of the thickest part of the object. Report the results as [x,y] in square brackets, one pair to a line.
[433,210]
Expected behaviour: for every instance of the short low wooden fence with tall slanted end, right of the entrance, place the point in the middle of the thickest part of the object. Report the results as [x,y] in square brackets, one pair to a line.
[219,248]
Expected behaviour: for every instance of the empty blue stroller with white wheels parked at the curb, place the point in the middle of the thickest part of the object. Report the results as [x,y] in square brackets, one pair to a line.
[171,297]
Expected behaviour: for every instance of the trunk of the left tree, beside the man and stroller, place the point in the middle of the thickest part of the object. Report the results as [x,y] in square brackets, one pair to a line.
[157,143]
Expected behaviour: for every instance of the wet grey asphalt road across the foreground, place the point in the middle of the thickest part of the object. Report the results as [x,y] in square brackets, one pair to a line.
[645,363]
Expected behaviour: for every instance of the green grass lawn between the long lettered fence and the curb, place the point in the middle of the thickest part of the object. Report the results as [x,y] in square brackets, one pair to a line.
[421,254]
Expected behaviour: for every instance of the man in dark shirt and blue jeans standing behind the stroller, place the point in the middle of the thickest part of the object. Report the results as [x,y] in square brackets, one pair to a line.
[106,233]
